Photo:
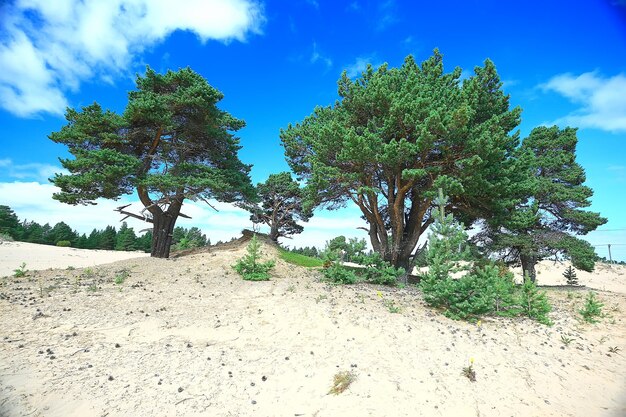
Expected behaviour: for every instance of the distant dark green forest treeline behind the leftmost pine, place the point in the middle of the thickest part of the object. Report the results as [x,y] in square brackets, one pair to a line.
[61,234]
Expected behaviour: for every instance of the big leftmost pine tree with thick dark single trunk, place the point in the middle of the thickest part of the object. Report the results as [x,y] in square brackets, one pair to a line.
[172,143]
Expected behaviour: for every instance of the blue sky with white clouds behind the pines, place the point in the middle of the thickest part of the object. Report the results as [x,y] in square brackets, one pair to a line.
[274,61]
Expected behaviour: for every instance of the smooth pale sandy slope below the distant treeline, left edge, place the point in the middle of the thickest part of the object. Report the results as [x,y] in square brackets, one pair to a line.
[38,257]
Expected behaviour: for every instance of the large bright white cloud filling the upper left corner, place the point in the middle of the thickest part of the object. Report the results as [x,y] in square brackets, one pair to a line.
[49,47]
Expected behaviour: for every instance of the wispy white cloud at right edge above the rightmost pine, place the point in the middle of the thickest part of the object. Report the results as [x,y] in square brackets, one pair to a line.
[602,100]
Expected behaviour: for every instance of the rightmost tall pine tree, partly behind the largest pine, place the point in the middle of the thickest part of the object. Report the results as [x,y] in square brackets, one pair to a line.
[551,207]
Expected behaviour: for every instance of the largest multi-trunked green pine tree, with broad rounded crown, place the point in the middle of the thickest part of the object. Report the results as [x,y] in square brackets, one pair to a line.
[397,135]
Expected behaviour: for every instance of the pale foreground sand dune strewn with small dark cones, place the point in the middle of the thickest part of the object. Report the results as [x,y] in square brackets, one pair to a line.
[188,337]
